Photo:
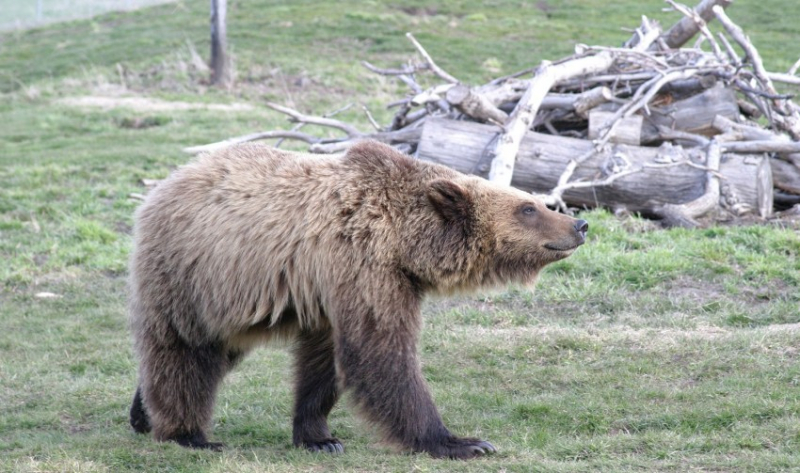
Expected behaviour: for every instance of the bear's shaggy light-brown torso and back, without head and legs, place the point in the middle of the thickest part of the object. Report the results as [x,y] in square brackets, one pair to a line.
[246,232]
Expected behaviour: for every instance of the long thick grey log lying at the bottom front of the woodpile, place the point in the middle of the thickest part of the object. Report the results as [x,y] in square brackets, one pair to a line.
[664,175]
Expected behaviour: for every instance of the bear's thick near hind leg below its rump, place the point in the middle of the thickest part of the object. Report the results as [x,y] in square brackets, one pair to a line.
[179,386]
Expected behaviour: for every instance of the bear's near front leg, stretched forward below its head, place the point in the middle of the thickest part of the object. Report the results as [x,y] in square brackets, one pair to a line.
[377,360]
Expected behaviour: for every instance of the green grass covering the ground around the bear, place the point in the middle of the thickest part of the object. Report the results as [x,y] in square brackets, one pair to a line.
[647,350]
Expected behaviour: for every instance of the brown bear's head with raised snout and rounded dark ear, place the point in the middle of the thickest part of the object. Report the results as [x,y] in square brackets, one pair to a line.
[485,235]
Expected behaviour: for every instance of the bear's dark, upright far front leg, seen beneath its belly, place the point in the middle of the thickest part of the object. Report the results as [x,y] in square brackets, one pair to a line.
[315,392]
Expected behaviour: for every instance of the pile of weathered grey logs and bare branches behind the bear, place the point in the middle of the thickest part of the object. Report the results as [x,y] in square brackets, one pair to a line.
[652,127]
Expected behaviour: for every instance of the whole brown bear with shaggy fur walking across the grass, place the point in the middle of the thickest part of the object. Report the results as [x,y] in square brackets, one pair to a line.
[251,244]
